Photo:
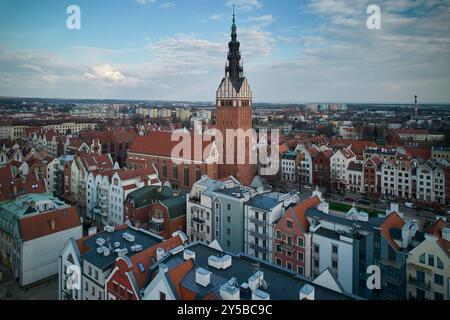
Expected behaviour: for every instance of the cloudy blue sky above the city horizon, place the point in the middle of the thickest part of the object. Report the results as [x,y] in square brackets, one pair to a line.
[295,51]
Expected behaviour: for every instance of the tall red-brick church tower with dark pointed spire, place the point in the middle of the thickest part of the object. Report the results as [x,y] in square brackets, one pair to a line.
[234,111]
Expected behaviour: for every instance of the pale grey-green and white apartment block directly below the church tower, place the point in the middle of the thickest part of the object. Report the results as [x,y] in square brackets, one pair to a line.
[236,216]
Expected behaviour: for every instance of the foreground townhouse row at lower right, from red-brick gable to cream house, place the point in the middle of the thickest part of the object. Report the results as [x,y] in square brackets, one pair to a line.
[413,264]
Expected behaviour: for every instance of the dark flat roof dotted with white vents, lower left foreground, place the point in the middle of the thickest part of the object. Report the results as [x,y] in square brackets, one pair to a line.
[102,262]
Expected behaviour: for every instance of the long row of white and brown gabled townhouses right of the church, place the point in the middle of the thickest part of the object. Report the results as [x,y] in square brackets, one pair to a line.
[375,172]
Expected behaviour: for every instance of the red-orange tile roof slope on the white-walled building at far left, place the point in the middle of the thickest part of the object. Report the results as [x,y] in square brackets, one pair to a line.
[45,224]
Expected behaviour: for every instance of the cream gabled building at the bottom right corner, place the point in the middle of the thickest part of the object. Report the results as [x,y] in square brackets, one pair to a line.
[428,265]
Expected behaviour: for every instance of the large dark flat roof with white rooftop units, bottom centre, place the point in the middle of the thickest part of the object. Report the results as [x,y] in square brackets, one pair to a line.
[282,284]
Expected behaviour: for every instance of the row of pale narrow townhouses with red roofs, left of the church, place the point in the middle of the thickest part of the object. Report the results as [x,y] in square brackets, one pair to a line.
[98,186]
